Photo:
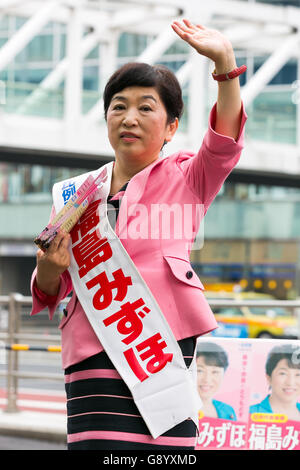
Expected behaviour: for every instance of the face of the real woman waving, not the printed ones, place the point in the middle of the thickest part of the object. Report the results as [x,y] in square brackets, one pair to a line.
[137,124]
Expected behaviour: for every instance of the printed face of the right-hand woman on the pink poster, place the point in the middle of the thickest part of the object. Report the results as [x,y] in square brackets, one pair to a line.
[285,382]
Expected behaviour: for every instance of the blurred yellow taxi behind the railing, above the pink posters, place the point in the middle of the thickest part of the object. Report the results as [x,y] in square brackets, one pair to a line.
[252,322]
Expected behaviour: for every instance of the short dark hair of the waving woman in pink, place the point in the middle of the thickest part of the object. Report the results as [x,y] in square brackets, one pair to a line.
[144,75]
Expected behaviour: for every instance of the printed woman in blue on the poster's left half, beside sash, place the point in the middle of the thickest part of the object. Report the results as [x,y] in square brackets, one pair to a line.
[212,363]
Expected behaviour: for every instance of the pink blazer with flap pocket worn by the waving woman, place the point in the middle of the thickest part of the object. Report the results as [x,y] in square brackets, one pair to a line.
[182,179]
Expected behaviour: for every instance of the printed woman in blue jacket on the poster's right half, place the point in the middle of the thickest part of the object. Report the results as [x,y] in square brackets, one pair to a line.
[283,377]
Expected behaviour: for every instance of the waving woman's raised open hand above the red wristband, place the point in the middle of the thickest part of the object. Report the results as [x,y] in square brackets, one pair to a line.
[208,42]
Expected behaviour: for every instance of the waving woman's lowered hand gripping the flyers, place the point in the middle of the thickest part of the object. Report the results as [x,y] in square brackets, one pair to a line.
[52,263]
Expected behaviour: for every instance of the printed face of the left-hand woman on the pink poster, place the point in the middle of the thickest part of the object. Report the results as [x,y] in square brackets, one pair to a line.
[209,378]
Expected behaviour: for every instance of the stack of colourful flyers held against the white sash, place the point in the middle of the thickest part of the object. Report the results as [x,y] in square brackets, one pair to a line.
[69,215]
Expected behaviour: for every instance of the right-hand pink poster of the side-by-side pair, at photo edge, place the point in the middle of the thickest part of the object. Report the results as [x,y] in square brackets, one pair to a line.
[274,408]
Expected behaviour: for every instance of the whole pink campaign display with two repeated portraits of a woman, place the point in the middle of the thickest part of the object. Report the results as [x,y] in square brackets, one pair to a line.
[250,393]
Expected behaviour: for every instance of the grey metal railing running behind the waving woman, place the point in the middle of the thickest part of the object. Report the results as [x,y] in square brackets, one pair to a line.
[13,338]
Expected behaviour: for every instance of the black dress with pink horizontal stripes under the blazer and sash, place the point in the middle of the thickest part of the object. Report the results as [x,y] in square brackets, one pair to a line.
[102,414]
